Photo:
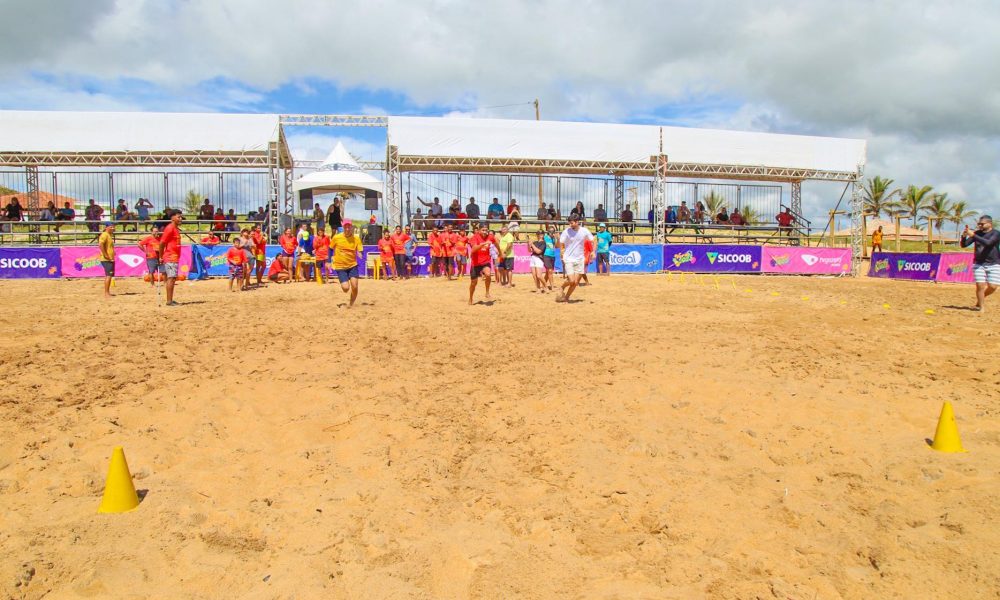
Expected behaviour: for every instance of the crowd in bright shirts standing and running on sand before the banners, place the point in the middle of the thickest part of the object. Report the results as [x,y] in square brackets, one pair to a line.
[482,254]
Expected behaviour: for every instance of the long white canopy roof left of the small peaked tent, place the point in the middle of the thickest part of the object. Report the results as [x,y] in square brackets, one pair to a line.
[95,132]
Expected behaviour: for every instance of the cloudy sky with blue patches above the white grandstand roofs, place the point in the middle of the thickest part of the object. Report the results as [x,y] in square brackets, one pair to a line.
[912,77]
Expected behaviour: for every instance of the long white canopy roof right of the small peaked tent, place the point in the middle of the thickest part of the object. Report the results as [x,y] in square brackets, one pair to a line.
[603,142]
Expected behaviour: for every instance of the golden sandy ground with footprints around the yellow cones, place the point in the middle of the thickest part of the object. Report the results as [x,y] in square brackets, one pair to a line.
[739,437]
